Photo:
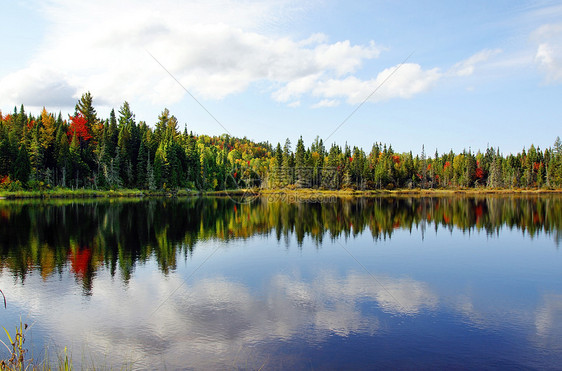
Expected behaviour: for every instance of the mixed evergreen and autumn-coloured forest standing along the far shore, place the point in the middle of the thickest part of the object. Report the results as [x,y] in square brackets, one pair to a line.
[84,151]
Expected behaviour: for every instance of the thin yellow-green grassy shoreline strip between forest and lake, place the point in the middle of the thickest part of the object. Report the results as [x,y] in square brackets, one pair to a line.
[303,193]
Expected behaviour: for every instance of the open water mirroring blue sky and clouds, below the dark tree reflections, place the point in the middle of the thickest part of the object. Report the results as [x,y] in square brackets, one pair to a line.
[419,299]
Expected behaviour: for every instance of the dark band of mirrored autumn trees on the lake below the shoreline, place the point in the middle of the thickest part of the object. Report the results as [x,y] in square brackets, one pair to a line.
[117,235]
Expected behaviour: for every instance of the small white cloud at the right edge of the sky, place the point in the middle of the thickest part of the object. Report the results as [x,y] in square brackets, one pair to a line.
[549,51]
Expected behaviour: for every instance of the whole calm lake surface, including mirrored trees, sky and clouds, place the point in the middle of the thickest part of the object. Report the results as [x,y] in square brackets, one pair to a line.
[402,283]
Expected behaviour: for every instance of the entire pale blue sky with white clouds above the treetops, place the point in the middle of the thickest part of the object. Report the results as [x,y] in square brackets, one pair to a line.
[445,74]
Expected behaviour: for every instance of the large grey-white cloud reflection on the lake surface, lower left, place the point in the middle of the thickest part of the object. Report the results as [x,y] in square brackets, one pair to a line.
[218,322]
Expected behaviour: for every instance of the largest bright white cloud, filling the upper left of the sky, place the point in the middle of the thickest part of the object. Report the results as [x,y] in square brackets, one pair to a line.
[214,48]
